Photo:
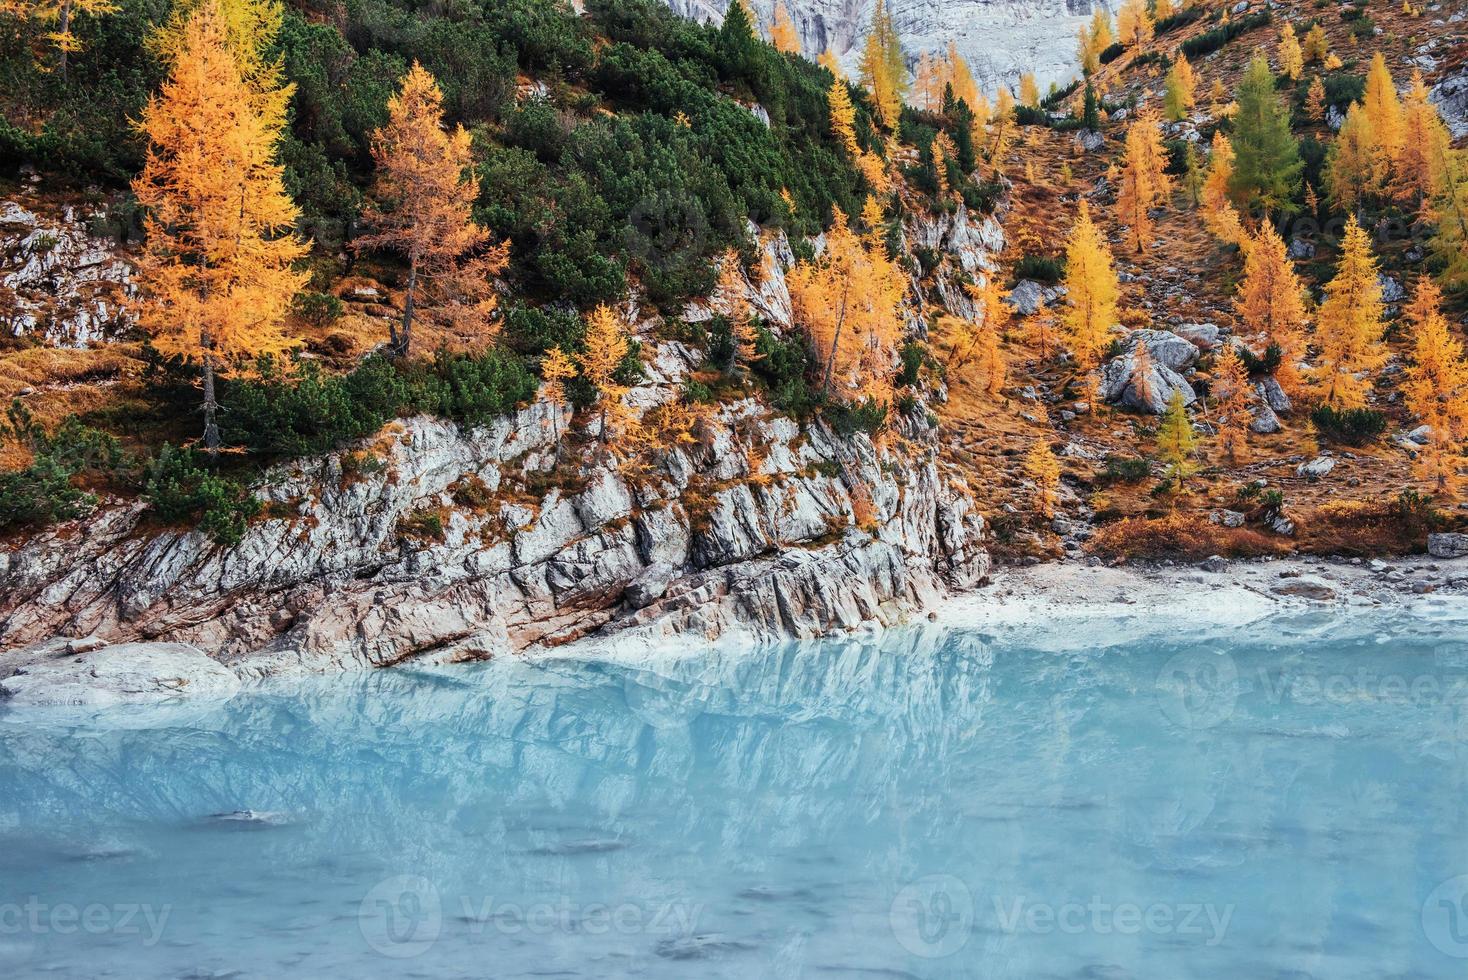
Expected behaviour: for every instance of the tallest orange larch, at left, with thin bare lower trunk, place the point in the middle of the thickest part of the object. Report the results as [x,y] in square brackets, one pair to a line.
[218,274]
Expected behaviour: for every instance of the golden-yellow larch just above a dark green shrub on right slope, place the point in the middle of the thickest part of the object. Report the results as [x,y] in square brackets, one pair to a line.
[1348,328]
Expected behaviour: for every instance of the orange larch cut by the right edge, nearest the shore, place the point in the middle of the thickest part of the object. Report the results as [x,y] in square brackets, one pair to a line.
[1436,388]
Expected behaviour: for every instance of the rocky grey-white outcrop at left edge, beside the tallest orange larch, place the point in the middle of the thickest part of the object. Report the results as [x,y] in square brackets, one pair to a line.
[58,281]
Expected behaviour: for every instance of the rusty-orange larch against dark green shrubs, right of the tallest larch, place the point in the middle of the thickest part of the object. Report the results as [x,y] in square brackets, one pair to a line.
[422,208]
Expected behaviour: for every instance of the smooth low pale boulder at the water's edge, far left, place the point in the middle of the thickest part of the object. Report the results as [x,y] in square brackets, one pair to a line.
[52,674]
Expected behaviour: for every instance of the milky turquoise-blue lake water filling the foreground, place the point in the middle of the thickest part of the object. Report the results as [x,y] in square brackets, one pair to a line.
[934,803]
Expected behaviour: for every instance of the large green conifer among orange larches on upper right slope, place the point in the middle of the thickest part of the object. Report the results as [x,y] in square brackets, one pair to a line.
[1266,165]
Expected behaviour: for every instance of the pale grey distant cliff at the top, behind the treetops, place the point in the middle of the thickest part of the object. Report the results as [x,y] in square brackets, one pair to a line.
[1000,39]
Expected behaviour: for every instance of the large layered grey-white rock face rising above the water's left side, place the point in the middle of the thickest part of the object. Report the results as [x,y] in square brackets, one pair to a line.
[760,527]
